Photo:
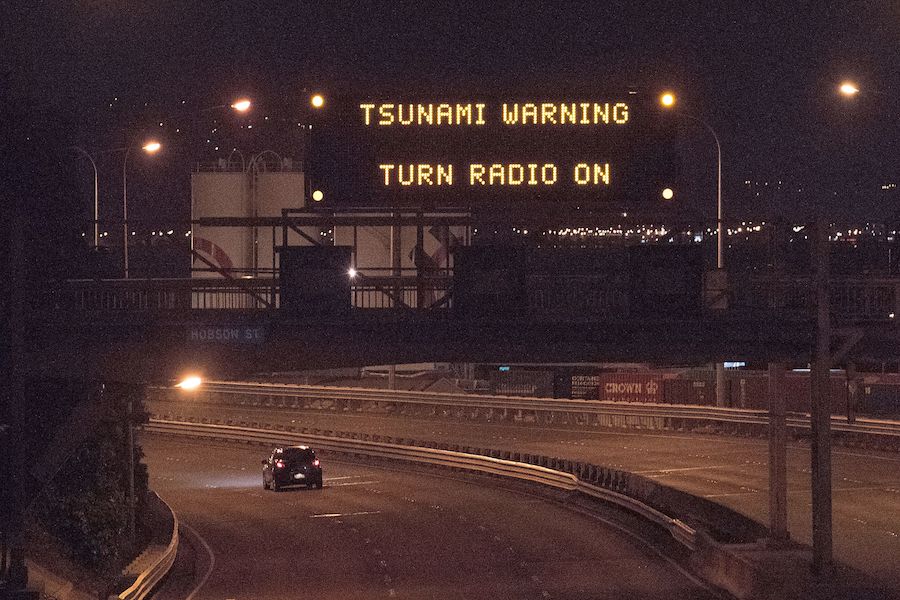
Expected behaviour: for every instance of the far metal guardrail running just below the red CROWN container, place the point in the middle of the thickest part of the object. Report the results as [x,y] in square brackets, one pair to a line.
[573,408]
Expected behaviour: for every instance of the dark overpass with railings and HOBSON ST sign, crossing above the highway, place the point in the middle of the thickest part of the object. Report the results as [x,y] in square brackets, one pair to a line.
[153,329]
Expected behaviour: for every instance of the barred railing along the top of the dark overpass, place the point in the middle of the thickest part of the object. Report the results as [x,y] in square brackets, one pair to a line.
[858,299]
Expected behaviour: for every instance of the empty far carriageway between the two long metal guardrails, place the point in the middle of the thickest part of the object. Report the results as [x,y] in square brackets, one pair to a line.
[732,471]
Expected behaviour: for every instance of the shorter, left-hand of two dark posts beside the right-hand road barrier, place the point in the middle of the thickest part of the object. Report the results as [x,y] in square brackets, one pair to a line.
[778,528]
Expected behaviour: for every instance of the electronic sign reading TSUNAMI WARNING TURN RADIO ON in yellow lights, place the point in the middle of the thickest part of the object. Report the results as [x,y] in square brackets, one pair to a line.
[483,152]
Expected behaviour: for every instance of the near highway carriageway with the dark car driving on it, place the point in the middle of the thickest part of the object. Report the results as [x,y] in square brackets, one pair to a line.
[382,533]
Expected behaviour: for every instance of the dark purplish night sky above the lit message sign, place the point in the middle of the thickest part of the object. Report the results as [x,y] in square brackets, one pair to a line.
[763,74]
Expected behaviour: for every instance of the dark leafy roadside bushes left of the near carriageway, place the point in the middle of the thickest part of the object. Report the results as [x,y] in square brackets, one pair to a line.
[78,523]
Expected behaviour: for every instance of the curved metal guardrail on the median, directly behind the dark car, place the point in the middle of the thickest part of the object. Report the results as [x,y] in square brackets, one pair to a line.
[503,466]
